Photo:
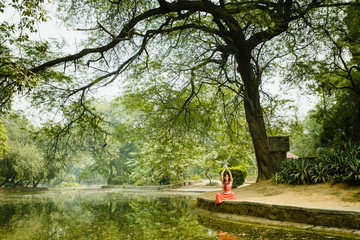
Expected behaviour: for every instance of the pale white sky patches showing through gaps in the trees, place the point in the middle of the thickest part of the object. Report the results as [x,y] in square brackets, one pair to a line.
[54,29]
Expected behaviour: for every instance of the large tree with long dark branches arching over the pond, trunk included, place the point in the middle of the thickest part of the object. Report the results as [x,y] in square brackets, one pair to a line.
[226,44]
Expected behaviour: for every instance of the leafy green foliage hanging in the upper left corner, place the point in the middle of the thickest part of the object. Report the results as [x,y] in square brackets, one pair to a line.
[15,57]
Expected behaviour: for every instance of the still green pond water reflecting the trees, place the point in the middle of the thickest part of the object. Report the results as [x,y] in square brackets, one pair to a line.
[109,214]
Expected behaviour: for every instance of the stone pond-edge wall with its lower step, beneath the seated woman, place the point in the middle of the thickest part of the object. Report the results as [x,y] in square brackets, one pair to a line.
[272,214]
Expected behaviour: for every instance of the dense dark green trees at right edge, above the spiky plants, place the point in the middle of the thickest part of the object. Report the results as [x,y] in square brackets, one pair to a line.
[335,118]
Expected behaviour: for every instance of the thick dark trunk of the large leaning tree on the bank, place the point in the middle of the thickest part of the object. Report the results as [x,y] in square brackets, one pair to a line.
[255,120]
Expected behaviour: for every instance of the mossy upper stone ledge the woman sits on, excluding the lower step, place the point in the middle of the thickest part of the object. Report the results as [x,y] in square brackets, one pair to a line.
[318,217]
